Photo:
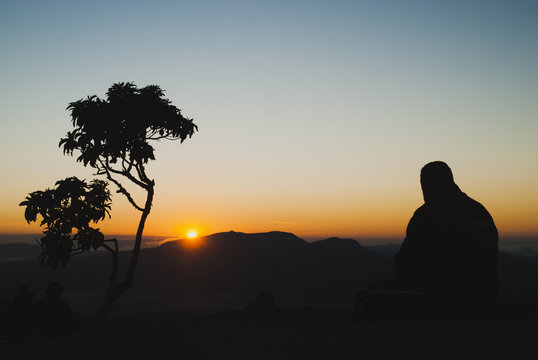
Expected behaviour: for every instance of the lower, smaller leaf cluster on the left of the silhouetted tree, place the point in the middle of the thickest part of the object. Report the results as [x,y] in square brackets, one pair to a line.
[71,206]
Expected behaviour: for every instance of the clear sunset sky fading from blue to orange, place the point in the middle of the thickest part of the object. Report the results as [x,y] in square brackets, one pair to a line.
[315,117]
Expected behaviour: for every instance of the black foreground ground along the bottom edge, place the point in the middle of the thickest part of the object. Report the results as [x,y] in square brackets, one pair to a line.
[306,333]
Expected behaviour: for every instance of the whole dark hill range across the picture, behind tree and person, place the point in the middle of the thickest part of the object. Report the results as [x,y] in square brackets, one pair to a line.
[227,270]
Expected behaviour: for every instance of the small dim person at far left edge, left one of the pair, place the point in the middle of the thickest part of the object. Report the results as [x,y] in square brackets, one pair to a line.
[18,321]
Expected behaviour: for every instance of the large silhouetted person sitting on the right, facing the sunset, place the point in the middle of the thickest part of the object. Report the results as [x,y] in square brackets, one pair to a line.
[450,249]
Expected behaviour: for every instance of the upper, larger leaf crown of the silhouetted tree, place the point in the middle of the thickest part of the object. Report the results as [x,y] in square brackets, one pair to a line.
[121,126]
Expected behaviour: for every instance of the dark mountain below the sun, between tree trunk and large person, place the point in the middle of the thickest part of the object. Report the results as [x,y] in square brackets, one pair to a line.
[231,268]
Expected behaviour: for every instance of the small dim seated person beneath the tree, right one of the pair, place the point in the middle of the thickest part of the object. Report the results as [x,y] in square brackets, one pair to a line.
[54,315]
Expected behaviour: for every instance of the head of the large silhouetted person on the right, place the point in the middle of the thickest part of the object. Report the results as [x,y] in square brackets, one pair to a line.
[436,178]
